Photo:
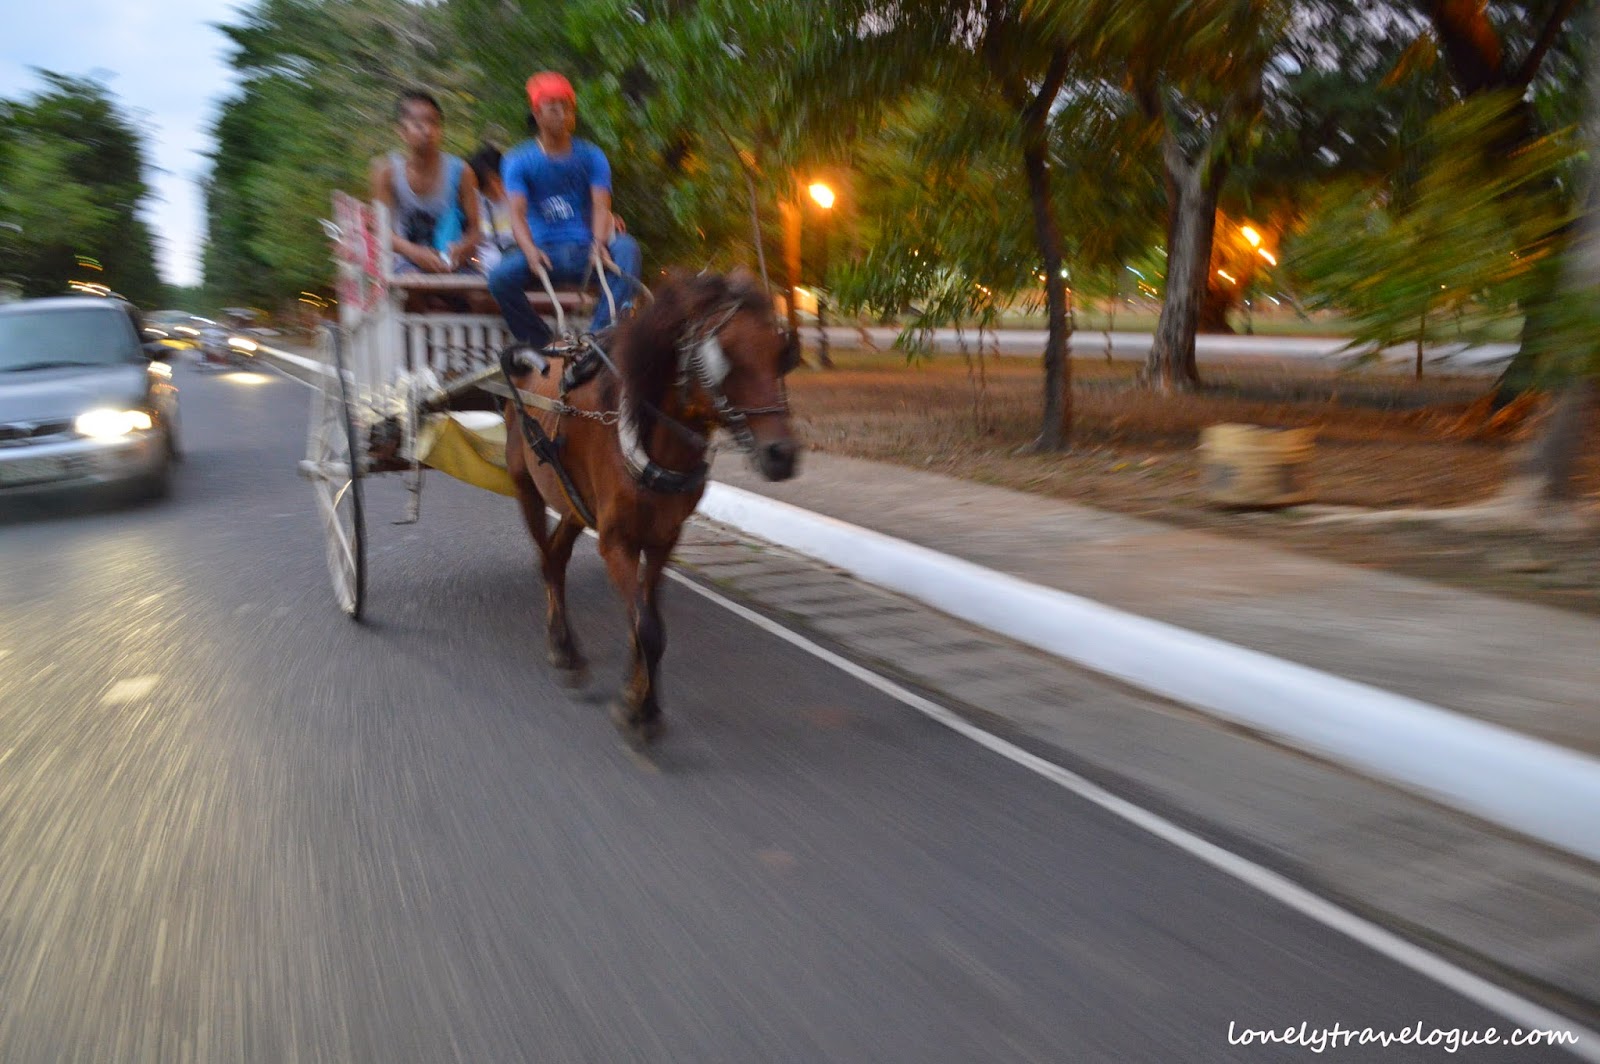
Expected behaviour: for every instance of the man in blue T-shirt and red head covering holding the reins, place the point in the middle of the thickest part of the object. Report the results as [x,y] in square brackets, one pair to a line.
[559,190]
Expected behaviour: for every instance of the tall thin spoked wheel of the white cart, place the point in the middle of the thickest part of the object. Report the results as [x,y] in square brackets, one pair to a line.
[337,479]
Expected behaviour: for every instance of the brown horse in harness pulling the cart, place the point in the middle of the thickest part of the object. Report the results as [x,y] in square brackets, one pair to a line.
[708,353]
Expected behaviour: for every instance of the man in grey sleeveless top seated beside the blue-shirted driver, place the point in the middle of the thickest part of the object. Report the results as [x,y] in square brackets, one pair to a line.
[433,198]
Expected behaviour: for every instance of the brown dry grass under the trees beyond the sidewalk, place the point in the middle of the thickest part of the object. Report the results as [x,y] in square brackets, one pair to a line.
[1383,441]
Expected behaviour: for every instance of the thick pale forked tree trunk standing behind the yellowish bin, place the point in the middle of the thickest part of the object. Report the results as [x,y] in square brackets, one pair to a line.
[1172,361]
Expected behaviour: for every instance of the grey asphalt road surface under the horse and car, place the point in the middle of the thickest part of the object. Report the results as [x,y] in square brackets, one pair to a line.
[234,826]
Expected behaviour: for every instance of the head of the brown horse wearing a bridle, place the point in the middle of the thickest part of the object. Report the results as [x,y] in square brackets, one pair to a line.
[732,359]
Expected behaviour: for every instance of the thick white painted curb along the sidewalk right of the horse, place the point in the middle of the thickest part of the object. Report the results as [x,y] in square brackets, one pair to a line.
[1537,788]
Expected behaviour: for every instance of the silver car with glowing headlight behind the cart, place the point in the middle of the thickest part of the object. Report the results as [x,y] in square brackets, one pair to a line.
[84,399]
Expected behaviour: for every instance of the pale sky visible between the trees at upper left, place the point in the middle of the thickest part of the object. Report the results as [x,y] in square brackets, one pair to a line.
[167,68]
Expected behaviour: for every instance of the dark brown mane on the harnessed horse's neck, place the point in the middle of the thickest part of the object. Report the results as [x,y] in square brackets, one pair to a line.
[647,351]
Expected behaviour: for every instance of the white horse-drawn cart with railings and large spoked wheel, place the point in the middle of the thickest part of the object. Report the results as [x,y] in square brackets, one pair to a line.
[399,390]
